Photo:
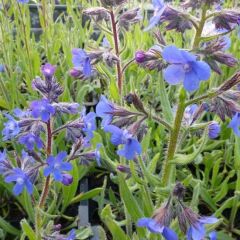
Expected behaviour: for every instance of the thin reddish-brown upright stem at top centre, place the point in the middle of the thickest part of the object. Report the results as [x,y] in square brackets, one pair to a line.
[117,52]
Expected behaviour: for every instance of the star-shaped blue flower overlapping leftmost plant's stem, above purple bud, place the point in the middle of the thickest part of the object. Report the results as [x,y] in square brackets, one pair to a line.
[56,166]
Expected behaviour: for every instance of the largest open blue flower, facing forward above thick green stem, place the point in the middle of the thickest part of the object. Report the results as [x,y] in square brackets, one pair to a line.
[184,67]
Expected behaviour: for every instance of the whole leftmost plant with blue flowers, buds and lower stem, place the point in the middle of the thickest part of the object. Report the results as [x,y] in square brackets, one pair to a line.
[42,162]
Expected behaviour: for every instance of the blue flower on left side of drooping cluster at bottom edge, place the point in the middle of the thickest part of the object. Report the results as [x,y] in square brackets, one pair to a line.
[155,227]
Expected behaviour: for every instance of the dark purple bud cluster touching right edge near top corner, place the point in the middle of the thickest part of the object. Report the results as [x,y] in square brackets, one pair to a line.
[227,19]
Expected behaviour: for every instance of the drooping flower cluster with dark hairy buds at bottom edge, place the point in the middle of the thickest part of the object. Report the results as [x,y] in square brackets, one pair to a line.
[190,222]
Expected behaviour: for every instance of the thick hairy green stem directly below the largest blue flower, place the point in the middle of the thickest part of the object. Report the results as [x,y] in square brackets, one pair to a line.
[168,170]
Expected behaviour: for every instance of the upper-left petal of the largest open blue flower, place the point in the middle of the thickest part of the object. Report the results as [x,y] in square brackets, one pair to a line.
[172,54]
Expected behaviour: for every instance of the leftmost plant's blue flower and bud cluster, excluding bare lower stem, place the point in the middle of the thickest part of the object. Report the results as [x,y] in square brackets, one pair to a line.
[31,125]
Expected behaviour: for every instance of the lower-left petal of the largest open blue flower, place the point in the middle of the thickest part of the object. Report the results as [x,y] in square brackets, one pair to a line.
[174,74]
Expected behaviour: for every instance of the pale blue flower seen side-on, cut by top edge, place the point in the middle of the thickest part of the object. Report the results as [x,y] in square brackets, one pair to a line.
[159,8]
